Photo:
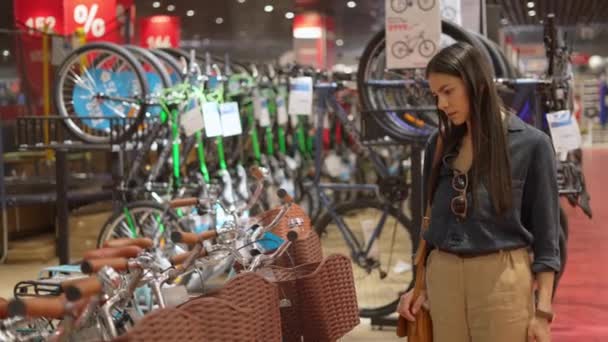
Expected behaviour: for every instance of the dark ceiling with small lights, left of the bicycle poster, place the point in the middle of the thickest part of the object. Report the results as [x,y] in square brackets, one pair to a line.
[247,30]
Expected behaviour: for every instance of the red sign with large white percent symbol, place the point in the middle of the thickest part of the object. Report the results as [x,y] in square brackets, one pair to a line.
[96,17]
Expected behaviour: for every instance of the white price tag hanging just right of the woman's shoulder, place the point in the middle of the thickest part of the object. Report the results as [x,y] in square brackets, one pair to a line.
[564,131]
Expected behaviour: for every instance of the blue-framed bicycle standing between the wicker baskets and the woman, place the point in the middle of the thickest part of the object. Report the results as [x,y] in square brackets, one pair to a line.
[373,230]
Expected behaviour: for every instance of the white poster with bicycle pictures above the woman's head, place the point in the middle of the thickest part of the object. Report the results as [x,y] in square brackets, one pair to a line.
[413,32]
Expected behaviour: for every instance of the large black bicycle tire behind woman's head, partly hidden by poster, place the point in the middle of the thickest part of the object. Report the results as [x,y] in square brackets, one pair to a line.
[393,125]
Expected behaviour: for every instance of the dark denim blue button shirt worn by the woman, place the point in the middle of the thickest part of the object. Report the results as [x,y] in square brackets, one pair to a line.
[533,220]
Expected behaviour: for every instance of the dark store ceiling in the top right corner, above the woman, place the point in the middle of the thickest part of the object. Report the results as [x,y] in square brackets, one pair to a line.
[567,12]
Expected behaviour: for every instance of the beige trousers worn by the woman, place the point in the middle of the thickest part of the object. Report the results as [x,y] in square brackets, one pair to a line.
[482,299]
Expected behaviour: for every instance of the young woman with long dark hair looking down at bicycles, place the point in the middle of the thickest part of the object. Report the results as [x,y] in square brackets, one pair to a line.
[494,222]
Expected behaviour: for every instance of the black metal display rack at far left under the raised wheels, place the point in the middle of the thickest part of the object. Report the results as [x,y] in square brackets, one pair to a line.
[51,133]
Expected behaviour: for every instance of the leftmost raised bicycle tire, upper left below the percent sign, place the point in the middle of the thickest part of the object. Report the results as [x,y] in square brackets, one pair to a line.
[61,107]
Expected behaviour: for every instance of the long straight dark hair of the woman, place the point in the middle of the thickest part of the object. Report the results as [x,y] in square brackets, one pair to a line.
[491,164]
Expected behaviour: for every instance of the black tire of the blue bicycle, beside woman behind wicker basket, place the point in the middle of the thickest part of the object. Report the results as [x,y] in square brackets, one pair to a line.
[358,206]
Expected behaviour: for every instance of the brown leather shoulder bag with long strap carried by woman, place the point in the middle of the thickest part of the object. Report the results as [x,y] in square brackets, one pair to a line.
[422,329]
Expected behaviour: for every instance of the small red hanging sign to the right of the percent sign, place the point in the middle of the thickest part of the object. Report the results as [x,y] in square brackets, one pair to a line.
[159,31]
